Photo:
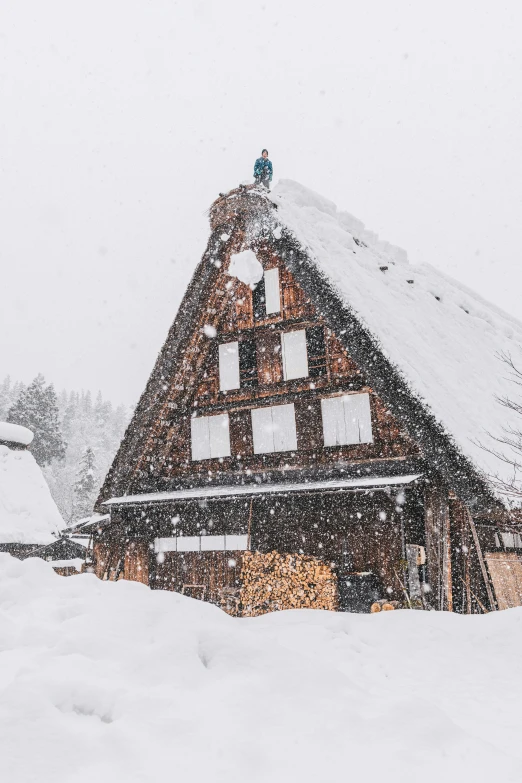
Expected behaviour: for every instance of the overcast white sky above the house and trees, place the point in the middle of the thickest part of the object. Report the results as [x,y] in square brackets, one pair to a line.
[120,122]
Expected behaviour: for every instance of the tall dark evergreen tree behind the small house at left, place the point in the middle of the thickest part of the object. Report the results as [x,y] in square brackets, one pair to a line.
[37,408]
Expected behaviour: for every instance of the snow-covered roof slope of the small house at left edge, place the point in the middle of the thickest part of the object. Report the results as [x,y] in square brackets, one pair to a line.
[28,514]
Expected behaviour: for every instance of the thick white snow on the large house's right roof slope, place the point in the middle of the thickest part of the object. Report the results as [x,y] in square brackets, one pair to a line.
[444,338]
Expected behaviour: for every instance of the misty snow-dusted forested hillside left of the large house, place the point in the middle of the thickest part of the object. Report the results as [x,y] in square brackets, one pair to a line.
[76,438]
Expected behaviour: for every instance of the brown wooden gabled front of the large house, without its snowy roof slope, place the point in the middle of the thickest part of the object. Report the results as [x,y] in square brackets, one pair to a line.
[312,447]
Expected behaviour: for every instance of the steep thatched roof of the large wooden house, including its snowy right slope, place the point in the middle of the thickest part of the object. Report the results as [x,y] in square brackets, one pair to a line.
[427,345]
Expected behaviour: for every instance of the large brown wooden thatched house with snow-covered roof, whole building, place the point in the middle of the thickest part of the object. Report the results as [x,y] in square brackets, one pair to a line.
[318,396]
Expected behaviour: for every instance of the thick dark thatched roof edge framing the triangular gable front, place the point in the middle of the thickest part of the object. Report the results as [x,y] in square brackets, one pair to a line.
[248,219]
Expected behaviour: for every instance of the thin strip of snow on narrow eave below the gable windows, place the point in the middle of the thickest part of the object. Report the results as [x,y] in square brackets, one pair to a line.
[366,482]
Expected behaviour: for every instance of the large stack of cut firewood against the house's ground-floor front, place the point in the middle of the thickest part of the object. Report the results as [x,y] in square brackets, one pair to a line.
[272,582]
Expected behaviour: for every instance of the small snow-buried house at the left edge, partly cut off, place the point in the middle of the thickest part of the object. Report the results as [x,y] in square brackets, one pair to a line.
[29,518]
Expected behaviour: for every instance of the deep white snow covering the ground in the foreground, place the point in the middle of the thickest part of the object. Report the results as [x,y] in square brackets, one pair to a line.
[104,681]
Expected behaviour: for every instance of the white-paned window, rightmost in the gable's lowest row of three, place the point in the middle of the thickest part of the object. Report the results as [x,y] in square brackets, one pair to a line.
[347,420]
